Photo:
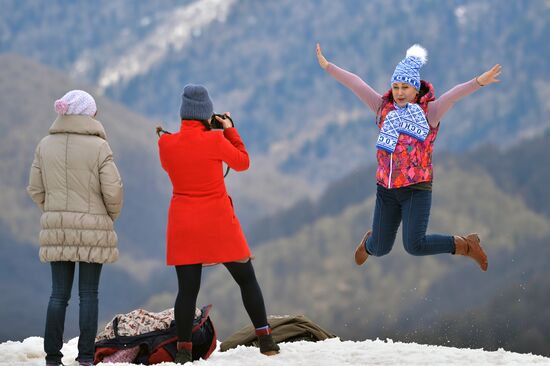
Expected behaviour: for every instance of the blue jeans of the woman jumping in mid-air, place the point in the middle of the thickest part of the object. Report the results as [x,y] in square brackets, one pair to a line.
[412,206]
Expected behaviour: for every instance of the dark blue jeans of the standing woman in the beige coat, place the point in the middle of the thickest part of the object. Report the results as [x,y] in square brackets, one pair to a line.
[62,282]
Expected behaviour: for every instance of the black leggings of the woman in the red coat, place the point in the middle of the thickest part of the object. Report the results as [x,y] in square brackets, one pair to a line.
[189,282]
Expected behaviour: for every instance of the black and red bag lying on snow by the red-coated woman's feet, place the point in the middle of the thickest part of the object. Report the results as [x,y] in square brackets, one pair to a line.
[159,345]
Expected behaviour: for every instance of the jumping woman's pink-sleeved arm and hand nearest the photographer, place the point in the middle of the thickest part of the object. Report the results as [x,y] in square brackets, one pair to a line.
[363,91]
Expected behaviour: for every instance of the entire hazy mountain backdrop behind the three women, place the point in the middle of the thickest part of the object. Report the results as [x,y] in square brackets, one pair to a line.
[307,198]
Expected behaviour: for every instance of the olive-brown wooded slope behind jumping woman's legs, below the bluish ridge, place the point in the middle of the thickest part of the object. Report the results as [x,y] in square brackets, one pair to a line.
[395,296]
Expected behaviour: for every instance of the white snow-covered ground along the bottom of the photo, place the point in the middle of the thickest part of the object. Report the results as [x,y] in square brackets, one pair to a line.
[330,353]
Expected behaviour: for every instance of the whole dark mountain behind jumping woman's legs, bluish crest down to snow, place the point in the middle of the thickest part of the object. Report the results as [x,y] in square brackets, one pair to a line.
[439,300]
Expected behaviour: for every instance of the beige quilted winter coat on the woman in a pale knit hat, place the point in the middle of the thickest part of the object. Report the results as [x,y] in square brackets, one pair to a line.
[76,184]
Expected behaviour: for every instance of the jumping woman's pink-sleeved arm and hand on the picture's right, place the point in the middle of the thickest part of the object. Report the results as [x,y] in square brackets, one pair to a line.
[440,106]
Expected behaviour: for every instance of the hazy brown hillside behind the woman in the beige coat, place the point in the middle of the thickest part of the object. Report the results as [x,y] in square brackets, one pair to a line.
[26,112]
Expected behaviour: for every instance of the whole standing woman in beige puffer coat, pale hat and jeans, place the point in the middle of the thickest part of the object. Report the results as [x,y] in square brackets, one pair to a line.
[76,184]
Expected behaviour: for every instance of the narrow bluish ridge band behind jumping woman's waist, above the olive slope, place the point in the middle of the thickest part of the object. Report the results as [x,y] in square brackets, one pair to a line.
[511,169]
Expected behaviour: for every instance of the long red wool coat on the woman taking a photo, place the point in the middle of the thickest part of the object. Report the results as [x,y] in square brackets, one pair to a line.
[202,226]
